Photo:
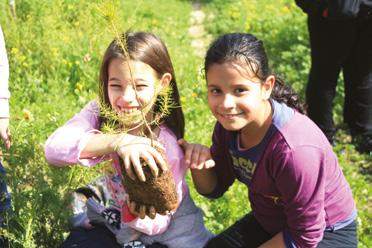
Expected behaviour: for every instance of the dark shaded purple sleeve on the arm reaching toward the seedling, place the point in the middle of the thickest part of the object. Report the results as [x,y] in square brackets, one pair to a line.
[223,164]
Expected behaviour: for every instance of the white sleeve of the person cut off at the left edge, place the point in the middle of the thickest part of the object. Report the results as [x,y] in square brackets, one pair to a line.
[4,77]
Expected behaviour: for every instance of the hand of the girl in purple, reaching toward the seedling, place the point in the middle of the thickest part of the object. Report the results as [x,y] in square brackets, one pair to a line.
[196,156]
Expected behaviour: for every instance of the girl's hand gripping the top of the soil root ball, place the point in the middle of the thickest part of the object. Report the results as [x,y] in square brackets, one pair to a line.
[138,148]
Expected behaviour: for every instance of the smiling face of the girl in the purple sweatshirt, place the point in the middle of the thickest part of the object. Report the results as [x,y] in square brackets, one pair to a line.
[236,97]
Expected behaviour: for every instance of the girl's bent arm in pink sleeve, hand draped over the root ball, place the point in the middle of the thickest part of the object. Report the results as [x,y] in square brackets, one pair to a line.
[80,141]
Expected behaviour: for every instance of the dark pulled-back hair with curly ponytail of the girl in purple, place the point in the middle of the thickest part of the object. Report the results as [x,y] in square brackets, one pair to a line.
[246,50]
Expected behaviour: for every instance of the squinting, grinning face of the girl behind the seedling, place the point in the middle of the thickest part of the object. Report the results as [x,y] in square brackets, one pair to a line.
[124,77]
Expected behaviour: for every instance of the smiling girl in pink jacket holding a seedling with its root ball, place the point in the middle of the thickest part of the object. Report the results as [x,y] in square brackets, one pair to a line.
[131,86]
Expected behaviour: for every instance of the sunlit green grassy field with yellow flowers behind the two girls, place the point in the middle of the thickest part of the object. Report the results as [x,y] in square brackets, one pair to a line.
[54,50]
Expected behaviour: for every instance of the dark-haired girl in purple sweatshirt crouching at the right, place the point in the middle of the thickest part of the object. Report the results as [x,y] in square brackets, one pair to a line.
[297,191]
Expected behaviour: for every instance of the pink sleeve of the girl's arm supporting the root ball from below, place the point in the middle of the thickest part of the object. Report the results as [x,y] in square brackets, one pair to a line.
[175,159]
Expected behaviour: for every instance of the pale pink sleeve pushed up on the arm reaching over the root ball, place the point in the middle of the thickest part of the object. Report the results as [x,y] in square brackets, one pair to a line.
[64,146]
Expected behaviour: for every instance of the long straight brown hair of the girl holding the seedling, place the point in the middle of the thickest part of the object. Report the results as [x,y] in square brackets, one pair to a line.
[149,49]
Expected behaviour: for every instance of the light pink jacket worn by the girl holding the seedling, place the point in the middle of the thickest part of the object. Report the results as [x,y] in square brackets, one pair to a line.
[64,146]
